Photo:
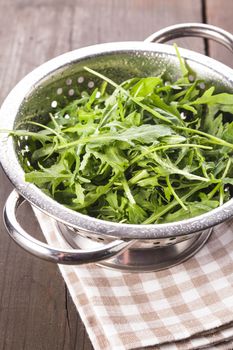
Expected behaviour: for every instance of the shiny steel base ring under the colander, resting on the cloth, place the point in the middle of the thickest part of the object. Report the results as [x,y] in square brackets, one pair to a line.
[142,259]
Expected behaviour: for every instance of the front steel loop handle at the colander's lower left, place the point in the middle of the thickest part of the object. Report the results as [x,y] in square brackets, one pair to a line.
[46,252]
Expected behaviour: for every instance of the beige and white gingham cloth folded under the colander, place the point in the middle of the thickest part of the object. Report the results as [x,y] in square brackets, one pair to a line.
[189,306]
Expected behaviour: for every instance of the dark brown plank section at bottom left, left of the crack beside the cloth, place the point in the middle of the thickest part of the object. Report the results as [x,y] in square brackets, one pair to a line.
[32,298]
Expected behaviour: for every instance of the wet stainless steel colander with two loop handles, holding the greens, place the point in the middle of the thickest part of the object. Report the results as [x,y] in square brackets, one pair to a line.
[128,247]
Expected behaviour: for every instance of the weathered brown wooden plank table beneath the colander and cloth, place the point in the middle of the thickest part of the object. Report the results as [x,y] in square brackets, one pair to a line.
[36,311]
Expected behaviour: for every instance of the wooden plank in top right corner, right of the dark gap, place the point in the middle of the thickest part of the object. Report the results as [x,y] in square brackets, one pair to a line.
[219,13]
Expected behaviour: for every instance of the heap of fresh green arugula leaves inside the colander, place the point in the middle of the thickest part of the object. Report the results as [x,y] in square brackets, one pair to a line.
[152,151]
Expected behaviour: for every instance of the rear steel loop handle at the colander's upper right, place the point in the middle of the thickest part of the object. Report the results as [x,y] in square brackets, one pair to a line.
[206,31]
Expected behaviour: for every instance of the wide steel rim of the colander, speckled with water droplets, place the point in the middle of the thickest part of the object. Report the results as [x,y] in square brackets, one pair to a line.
[39,199]
